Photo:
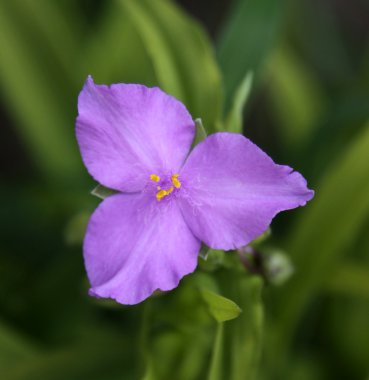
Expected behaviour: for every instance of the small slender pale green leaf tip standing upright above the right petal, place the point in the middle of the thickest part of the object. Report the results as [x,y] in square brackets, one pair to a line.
[234,120]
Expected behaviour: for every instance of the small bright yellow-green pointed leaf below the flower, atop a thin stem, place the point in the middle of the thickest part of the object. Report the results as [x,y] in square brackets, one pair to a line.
[221,308]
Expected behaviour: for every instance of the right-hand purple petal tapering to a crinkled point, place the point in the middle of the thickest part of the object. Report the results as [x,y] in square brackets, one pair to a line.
[231,190]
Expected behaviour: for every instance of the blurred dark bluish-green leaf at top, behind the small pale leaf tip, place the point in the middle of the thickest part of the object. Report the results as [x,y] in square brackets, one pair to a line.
[248,36]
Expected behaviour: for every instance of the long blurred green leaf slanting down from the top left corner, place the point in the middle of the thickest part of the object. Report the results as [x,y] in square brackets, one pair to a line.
[37,108]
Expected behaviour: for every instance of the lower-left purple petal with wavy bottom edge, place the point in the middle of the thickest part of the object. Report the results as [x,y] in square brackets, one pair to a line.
[135,245]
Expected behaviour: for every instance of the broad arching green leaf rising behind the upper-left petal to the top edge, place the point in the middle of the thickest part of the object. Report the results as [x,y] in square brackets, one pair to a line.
[195,58]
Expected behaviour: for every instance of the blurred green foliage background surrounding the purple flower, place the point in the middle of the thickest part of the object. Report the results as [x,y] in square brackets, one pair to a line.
[308,108]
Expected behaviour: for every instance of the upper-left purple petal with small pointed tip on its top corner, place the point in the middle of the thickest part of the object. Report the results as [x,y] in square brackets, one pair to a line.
[127,132]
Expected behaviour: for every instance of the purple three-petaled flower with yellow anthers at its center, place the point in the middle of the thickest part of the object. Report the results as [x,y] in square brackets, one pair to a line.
[225,192]
